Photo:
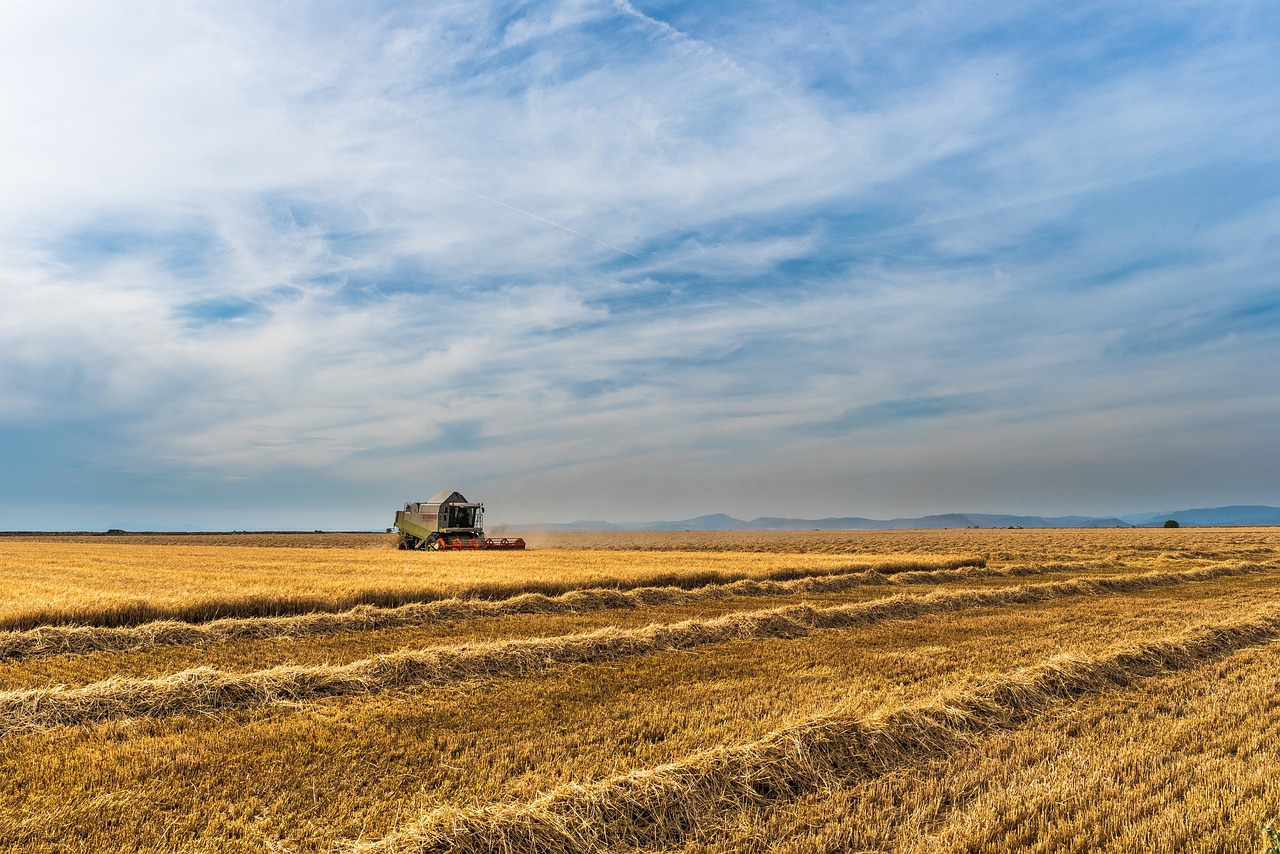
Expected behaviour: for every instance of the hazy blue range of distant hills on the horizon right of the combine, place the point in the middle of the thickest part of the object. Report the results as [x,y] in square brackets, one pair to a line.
[1214,517]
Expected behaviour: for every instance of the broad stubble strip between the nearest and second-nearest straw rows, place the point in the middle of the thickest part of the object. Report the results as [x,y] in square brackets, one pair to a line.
[275,780]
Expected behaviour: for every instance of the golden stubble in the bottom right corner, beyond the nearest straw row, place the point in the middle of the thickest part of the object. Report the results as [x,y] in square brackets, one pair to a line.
[1183,762]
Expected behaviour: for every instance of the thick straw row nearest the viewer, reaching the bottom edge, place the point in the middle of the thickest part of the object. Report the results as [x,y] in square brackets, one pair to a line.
[660,807]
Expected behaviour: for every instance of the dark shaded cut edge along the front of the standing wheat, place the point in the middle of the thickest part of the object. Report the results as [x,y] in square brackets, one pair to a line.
[139,614]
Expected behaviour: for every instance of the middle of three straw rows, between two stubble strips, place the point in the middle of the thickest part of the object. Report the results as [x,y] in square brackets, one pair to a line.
[204,691]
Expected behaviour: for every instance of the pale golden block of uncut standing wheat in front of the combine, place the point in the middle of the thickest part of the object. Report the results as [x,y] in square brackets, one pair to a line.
[118,586]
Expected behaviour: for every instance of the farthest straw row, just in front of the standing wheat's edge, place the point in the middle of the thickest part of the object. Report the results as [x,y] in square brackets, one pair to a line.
[57,641]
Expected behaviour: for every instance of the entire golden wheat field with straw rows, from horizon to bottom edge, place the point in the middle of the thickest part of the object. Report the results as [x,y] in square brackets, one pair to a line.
[995,691]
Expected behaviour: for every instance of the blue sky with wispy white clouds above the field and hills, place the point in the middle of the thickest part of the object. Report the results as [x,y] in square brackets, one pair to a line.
[289,266]
